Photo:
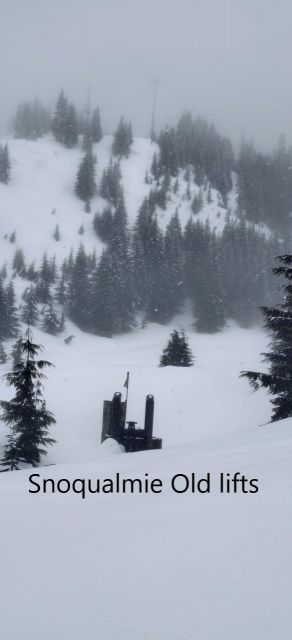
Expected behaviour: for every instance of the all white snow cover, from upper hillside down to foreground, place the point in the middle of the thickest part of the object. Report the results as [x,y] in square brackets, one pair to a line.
[140,566]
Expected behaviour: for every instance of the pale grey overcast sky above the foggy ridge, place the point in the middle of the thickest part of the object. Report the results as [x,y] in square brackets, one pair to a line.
[228,60]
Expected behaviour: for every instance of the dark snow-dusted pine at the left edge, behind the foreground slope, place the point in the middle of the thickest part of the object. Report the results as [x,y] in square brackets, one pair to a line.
[26,412]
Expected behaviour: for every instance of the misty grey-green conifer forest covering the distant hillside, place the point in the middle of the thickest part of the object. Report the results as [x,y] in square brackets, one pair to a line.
[143,273]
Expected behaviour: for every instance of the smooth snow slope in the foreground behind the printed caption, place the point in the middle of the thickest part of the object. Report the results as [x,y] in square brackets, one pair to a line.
[168,566]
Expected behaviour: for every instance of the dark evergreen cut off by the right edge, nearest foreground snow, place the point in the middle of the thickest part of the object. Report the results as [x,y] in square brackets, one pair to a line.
[278,322]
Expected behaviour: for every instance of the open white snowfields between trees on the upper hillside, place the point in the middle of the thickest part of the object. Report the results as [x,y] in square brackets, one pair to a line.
[41,195]
